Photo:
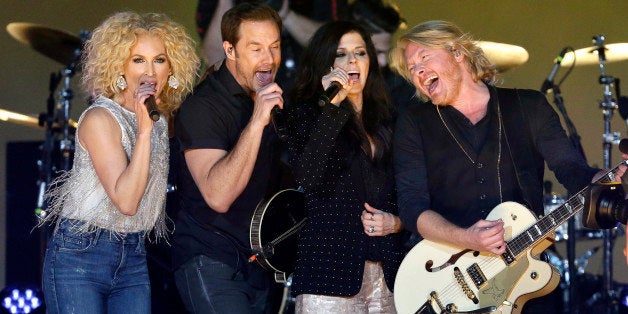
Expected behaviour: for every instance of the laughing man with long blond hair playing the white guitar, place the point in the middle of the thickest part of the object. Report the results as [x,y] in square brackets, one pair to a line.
[472,145]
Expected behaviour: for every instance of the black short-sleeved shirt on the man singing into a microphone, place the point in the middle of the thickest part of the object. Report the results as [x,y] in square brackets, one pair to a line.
[213,118]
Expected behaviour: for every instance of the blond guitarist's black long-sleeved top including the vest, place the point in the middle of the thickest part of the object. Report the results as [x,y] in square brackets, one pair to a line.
[432,172]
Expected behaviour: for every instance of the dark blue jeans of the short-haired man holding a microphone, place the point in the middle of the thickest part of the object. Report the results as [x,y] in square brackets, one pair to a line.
[209,286]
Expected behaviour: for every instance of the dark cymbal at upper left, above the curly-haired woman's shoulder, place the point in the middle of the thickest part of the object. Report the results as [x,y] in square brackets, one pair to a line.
[55,44]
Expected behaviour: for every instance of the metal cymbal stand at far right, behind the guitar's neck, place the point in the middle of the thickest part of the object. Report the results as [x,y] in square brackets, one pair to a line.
[607,297]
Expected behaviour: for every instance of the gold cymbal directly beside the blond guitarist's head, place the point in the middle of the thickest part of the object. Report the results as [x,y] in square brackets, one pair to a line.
[503,56]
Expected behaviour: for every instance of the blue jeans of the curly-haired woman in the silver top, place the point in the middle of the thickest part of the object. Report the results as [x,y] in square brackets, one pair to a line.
[95,272]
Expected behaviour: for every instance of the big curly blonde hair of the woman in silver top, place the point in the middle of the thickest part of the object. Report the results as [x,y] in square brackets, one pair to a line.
[106,52]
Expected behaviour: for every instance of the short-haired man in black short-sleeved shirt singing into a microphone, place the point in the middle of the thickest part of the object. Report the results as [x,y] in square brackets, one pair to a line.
[228,144]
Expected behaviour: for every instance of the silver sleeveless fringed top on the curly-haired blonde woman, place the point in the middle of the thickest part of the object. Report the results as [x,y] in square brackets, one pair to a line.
[78,194]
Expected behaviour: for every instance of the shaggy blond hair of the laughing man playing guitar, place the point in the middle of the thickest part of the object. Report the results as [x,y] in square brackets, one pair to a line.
[443,34]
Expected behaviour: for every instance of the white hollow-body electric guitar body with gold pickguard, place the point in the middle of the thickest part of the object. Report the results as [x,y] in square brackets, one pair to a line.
[435,276]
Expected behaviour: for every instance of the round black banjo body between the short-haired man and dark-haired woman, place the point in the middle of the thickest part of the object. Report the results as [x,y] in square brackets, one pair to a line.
[274,232]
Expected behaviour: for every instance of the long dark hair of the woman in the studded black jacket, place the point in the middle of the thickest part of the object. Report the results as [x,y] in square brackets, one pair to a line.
[315,62]
